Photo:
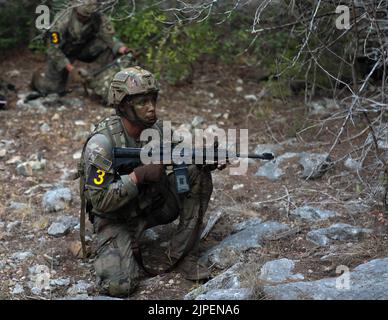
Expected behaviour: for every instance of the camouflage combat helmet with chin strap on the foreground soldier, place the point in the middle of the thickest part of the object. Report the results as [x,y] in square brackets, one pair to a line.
[131,82]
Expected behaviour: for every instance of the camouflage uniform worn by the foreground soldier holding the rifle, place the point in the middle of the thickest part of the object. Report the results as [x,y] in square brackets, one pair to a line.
[121,210]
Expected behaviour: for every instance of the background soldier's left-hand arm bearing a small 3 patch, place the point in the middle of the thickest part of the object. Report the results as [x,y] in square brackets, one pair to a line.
[54,51]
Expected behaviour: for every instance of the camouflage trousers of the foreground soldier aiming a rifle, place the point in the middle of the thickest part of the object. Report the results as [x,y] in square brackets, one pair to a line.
[116,268]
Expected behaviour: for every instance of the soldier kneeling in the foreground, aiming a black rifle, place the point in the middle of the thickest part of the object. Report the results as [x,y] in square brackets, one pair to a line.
[122,207]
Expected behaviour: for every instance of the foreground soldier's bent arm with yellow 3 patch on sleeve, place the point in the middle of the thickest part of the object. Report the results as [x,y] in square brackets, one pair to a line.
[106,192]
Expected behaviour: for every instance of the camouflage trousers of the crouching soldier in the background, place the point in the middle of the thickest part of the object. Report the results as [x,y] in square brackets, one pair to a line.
[54,80]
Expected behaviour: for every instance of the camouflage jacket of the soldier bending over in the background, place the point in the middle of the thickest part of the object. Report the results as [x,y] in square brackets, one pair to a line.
[74,35]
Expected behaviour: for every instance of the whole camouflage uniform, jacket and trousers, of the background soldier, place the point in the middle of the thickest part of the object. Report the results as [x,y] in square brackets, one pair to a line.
[91,41]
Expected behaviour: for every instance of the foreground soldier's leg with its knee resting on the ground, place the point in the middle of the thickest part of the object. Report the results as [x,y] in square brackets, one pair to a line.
[116,269]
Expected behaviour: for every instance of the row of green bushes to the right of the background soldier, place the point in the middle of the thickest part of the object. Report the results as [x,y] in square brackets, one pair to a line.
[173,50]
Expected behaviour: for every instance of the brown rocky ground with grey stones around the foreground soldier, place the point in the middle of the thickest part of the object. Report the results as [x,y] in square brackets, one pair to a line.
[285,230]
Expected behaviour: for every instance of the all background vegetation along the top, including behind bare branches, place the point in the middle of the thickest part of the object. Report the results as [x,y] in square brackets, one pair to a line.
[172,42]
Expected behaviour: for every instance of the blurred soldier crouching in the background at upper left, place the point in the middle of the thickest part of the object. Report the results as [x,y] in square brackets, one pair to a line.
[81,32]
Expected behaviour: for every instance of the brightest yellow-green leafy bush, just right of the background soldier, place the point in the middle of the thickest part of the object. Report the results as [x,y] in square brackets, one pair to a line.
[167,50]
